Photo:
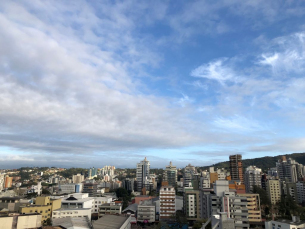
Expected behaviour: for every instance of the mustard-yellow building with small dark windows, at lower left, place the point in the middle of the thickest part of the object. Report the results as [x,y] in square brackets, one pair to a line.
[44,206]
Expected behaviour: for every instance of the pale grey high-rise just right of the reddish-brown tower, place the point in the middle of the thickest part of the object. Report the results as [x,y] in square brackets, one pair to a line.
[252,178]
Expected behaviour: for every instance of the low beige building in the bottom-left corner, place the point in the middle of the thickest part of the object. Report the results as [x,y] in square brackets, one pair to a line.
[16,221]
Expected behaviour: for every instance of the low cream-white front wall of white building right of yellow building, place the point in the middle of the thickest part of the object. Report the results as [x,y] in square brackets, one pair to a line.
[73,212]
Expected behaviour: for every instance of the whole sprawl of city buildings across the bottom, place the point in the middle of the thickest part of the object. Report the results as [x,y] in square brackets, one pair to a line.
[99,197]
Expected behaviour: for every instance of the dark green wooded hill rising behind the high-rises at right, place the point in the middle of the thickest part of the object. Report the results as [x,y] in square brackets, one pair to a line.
[263,162]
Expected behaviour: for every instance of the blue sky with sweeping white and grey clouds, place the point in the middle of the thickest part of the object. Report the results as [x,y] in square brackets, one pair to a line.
[95,83]
